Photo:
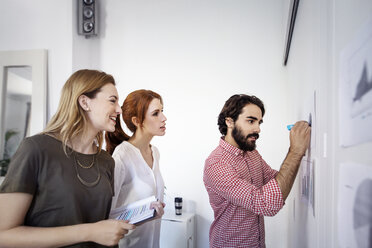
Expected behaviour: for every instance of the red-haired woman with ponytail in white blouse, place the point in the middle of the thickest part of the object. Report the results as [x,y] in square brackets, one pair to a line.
[137,173]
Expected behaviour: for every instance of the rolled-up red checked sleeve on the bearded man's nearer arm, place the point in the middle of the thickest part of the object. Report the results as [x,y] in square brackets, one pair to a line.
[224,181]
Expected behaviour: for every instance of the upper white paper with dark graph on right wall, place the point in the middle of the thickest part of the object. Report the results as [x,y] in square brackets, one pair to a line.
[355,95]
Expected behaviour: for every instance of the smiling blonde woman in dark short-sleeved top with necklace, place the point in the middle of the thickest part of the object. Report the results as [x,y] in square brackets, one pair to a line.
[59,186]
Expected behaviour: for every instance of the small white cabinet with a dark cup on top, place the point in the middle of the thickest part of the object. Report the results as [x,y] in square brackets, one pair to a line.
[177,230]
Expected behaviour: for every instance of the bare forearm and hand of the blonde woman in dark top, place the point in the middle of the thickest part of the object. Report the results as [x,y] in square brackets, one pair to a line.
[13,209]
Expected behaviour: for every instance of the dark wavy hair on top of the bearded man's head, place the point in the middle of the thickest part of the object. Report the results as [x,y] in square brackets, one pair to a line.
[233,108]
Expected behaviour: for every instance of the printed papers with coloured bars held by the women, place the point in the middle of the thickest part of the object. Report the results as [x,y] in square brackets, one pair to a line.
[135,212]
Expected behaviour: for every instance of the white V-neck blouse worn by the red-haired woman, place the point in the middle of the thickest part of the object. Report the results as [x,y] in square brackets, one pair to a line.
[135,180]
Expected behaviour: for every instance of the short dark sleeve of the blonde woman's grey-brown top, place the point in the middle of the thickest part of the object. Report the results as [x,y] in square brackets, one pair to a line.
[23,169]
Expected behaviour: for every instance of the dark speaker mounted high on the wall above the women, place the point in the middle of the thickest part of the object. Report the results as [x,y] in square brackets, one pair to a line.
[87,17]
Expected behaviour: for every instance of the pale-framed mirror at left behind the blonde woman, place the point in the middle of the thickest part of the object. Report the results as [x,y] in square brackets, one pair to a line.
[23,99]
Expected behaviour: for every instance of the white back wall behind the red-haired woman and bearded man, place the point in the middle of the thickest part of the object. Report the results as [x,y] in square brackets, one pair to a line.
[196,54]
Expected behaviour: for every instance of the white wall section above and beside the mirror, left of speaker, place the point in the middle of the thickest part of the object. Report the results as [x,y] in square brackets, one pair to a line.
[41,24]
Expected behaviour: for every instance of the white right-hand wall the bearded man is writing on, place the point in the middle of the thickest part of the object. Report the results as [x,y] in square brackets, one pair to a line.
[323,29]
